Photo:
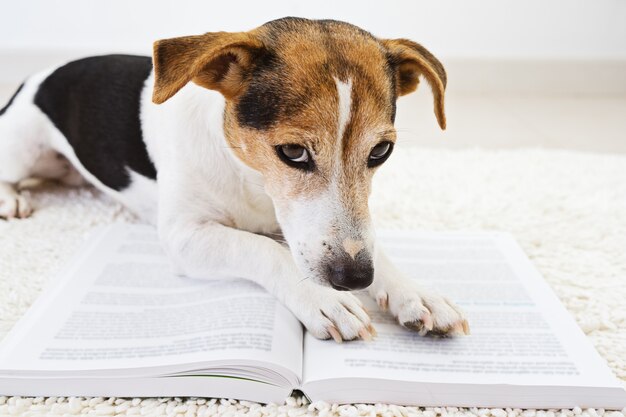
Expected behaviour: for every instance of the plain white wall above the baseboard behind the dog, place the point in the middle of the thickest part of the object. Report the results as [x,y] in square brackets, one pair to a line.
[510,29]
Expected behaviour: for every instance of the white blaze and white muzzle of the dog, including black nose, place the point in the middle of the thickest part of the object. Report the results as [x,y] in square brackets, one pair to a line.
[328,241]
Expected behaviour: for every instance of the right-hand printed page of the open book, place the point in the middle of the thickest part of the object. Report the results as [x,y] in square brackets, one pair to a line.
[520,332]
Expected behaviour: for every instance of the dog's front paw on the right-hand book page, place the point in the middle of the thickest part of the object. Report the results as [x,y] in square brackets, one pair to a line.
[426,312]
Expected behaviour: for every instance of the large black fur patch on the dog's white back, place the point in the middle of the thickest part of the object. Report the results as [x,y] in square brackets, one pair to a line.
[95,103]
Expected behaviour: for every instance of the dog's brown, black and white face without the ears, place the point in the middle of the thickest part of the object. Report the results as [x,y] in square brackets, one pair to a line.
[330,107]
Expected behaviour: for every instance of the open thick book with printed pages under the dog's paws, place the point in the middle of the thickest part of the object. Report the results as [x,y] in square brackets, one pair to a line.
[117,322]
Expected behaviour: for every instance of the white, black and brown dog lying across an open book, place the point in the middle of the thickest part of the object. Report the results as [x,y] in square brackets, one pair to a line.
[227,141]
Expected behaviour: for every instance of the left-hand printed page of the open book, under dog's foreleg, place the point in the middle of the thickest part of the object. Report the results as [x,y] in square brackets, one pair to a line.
[122,308]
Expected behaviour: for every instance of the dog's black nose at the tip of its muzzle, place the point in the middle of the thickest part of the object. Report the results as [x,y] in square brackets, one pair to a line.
[345,273]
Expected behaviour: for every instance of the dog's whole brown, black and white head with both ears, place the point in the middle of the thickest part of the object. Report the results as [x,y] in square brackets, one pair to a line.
[310,105]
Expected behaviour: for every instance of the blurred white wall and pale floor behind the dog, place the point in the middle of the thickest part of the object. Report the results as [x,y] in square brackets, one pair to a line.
[533,73]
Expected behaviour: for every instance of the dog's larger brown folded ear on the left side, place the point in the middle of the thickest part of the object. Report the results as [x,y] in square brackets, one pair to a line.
[218,61]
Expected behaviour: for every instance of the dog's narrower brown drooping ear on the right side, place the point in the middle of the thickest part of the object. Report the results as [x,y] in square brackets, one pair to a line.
[410,60]
